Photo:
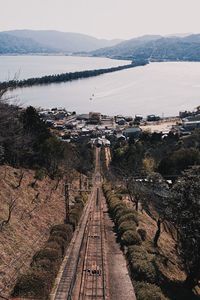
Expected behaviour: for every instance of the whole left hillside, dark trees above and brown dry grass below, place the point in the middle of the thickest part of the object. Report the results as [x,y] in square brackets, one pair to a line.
[34,168]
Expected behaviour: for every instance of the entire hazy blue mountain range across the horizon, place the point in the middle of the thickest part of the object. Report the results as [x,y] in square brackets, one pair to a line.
[182,47]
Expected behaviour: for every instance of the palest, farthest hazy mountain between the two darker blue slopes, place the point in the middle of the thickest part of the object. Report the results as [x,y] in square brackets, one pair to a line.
[64,41]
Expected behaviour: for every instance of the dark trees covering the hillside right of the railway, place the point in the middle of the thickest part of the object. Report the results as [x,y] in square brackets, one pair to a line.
[174,206]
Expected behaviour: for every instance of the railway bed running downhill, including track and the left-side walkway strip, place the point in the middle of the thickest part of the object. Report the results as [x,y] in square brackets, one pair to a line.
[84,272]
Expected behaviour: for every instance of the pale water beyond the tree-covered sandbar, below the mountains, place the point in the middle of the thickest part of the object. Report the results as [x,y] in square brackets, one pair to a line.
[24,67]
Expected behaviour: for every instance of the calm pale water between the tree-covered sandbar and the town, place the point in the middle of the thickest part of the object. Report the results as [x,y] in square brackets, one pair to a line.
[160,88]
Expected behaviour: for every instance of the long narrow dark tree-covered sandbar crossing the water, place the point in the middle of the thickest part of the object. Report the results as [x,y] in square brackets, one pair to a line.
[64,77]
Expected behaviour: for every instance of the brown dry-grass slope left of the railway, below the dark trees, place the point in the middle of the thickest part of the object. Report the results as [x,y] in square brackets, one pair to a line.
[35,208]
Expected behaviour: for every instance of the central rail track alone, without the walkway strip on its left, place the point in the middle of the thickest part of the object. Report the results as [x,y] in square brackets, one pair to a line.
[93,277]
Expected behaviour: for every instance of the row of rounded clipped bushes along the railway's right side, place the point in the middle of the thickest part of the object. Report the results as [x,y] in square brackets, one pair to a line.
[141,263]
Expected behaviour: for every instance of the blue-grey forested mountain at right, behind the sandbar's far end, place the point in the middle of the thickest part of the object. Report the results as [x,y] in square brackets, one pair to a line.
[156,48]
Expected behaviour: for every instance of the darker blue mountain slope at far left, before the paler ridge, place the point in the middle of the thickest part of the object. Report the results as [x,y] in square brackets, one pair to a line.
[10,44]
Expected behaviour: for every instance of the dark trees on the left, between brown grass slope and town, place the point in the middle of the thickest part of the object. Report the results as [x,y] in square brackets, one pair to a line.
[27,142]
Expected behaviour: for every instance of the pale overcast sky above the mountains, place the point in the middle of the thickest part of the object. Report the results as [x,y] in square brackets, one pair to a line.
[103,18]
